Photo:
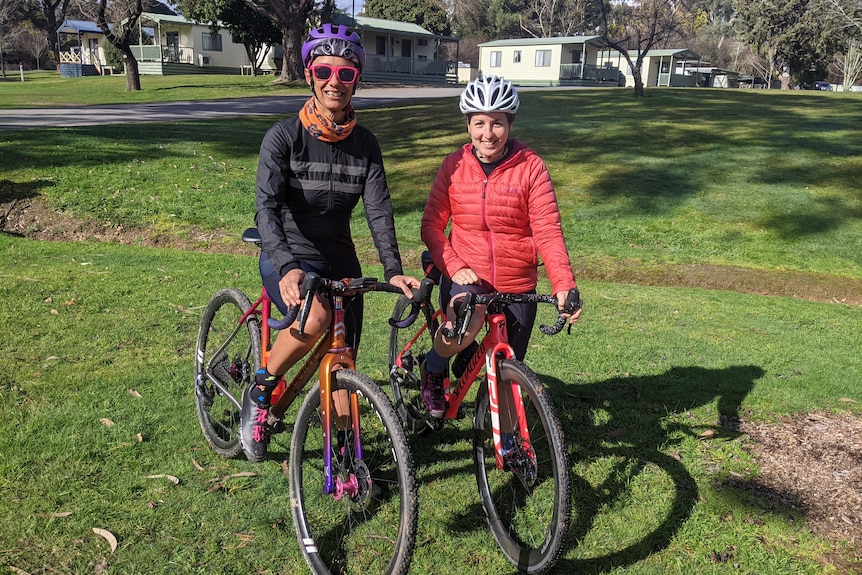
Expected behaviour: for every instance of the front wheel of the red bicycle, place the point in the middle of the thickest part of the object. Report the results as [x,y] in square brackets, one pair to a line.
[528,502]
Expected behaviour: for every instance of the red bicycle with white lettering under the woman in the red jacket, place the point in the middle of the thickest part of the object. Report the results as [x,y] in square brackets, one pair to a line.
[525,492]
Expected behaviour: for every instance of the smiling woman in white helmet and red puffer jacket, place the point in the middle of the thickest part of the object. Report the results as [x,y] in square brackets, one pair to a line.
[498,198]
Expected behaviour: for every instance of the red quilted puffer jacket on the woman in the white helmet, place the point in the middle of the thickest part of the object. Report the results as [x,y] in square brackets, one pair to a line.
[500,225]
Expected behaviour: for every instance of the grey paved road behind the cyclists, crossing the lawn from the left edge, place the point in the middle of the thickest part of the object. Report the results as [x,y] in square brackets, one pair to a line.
[206,109]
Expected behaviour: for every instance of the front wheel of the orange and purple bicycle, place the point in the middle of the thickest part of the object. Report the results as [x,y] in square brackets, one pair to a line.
[373,531]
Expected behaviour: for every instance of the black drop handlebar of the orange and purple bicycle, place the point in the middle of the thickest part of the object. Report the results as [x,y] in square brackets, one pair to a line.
[314,284]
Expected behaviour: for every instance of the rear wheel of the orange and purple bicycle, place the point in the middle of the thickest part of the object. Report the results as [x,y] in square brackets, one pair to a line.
[227,355]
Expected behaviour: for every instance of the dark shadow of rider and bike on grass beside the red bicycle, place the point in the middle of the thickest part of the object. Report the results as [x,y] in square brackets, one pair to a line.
[632,426]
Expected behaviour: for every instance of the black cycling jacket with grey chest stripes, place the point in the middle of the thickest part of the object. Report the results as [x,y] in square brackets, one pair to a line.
[306,192]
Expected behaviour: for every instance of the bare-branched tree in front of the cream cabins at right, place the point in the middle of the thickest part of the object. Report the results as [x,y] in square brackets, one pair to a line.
[641,25]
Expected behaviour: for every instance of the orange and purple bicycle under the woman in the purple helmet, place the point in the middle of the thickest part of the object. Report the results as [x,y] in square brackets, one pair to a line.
[353,490]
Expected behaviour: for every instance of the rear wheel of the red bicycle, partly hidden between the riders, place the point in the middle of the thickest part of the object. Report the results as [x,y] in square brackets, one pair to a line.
[405,380]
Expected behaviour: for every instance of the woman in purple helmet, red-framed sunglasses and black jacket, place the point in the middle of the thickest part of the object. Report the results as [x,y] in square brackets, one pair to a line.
[313,170]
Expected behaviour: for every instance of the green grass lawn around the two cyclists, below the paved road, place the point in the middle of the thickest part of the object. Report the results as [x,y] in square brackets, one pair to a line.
[96,395]
